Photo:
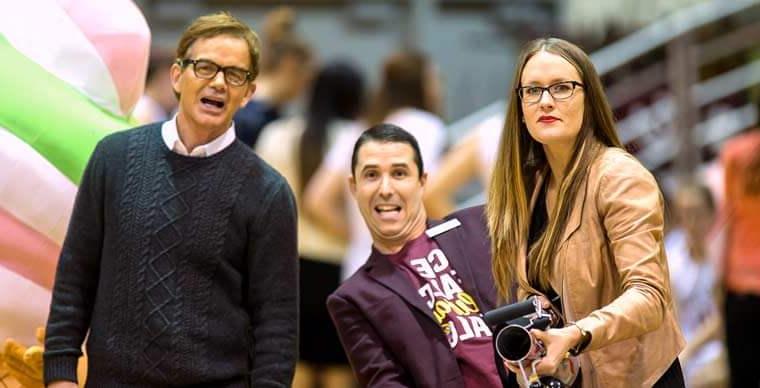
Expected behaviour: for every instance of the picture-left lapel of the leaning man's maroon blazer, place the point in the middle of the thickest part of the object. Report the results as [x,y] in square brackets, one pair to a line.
[385,273]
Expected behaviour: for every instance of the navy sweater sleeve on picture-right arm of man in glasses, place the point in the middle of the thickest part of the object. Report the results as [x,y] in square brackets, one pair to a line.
[273,290]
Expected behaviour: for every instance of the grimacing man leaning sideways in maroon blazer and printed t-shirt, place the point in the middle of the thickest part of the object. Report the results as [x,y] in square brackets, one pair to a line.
[412,315]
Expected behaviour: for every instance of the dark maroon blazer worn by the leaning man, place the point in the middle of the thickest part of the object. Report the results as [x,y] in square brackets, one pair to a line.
[387,330]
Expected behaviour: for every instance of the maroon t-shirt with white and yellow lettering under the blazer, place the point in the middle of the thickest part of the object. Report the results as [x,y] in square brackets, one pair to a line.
[455,310]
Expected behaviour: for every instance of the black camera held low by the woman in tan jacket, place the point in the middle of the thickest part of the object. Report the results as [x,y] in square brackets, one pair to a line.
[516,345]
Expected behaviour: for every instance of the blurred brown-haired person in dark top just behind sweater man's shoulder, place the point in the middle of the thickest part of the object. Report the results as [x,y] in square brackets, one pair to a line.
[285,73]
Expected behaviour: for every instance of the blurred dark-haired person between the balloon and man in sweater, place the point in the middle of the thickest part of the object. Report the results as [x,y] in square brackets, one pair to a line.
[158,102]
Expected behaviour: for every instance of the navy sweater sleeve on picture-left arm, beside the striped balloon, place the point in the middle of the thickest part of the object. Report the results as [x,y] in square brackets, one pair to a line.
[76,277]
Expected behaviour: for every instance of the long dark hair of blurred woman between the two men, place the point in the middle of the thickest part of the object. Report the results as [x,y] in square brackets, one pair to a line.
[337,93]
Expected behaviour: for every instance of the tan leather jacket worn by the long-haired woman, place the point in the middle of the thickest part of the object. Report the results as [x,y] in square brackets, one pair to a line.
[612,274]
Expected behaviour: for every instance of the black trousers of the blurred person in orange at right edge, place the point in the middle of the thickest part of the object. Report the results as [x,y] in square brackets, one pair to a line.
[743,339]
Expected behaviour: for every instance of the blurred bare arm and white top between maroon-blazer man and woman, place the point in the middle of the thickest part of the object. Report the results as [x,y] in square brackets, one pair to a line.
[472,157]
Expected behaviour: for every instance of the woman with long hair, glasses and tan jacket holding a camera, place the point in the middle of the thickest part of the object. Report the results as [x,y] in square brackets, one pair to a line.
[572,214]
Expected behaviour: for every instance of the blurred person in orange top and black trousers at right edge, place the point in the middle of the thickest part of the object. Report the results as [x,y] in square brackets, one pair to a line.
[741,161]
